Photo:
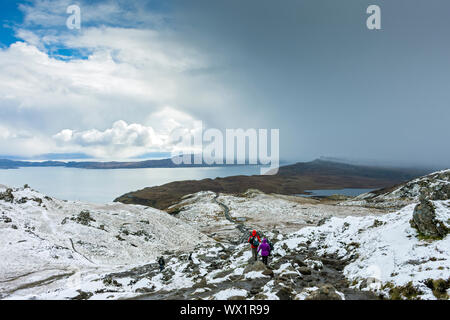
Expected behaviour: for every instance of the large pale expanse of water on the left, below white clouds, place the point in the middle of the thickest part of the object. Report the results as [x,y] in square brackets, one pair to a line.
[103,186]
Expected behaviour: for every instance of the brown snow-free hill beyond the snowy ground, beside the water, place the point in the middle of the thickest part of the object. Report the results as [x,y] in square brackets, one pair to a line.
[291,179]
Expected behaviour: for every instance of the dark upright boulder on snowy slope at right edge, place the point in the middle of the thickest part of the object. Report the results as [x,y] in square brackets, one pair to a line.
[424,220]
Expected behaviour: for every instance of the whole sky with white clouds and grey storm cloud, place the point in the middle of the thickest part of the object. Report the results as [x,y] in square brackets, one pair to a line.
[137,70]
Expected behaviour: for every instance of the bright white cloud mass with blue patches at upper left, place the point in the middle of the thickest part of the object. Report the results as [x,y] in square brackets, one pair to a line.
[132,73]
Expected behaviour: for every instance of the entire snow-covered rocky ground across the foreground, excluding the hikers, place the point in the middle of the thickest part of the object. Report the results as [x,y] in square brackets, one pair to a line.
[55,249]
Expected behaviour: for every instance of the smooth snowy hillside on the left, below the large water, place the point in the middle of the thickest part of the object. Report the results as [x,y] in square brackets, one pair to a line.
[54,242]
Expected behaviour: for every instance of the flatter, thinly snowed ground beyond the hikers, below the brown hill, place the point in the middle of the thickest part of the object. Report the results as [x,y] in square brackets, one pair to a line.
[260,211]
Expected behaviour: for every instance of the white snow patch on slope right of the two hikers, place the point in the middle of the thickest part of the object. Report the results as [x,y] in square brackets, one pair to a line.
[384,248]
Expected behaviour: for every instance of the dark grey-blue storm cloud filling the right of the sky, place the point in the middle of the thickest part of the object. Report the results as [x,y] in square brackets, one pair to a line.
[333,87]
